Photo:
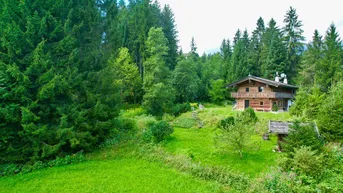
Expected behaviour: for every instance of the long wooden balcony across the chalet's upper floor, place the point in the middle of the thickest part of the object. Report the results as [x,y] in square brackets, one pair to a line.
[262,95]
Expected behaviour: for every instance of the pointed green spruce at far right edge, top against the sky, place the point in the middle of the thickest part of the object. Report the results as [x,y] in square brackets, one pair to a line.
[330,66]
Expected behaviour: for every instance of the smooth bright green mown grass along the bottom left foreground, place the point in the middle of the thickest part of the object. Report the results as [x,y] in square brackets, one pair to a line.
[122,175]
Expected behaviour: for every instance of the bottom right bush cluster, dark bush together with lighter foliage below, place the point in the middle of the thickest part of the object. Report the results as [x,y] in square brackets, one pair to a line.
[306,165]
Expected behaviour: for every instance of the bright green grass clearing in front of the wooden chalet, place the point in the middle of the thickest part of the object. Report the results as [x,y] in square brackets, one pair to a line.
[200,142]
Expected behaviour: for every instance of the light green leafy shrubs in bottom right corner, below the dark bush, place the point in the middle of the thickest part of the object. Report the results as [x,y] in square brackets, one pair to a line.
[307,171]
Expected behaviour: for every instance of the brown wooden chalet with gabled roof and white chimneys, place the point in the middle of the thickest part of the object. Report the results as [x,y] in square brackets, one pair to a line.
[261,94]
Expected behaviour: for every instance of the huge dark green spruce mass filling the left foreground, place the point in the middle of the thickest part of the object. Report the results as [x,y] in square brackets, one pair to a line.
[49,57]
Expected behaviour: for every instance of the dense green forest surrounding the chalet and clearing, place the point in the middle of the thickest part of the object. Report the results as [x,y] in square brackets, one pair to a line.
[68,67]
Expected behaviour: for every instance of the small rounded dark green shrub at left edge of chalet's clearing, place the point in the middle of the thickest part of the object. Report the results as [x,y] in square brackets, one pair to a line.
[160,130]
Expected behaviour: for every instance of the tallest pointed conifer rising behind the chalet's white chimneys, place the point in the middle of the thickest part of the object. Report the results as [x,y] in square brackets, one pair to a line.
[294,41]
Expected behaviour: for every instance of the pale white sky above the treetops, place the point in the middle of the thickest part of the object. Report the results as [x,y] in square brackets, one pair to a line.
[209,22]
